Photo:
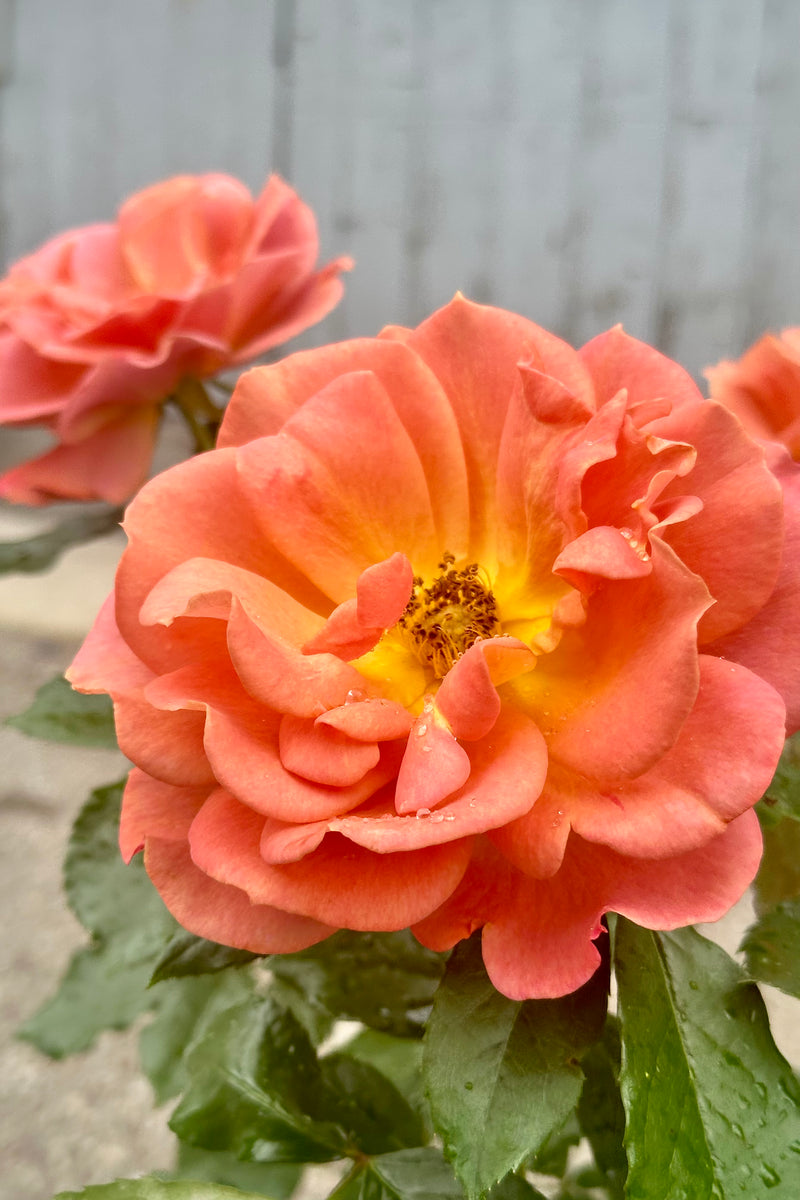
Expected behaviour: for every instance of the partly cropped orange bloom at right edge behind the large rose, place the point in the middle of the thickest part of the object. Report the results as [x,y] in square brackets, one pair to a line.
[763,388]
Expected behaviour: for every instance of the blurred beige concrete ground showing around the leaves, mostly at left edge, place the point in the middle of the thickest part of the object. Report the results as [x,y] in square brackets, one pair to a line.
[89,1119]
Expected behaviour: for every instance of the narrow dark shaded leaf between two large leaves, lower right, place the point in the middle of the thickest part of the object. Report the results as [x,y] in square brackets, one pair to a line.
[600,1109]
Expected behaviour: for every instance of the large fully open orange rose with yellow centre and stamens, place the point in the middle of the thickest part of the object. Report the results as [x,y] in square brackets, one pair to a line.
[458,628]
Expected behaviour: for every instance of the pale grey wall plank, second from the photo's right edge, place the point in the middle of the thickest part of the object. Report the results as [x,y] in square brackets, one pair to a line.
[714,61]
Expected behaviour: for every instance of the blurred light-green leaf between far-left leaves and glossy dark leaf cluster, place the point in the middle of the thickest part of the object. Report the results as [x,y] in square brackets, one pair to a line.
[184,1010]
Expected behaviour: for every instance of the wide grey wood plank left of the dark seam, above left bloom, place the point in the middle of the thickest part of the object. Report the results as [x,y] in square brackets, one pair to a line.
[107,98]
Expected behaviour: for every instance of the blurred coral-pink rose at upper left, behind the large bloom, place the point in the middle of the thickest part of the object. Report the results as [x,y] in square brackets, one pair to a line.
[101,325]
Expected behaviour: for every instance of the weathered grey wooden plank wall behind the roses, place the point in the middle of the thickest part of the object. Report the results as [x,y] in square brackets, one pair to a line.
[581,161]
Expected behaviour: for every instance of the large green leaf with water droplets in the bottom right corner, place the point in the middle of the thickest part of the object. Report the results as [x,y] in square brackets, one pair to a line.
[713,1108]
